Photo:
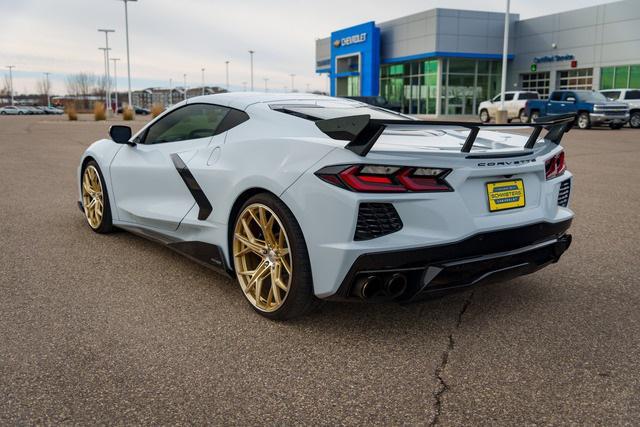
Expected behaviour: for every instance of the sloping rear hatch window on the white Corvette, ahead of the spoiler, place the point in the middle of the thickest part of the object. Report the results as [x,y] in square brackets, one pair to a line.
[322,110]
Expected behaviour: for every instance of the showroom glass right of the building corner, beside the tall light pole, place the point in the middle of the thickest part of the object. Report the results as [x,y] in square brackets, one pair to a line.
[466,83]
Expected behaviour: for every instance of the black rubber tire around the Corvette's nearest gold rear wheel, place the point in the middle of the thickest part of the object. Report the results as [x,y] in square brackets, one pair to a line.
[300,299]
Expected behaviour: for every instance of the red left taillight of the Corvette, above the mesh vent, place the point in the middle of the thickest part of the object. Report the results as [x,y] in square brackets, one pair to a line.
[386,179]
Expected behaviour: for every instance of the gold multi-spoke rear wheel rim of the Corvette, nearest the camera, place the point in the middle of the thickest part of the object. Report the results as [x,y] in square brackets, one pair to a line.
[262,257]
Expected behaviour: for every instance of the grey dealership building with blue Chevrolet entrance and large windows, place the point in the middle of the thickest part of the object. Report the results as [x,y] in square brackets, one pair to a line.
[446,61]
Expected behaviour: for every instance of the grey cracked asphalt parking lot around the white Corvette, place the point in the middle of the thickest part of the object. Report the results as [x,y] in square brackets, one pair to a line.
[113,329]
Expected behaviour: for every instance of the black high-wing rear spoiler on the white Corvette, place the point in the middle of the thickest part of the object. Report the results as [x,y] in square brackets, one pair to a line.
[362,131]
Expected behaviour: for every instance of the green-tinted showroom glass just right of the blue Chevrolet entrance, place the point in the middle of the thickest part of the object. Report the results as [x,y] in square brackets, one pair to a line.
[412,86]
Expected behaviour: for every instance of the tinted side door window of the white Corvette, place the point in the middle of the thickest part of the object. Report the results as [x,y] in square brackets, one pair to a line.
[189,122]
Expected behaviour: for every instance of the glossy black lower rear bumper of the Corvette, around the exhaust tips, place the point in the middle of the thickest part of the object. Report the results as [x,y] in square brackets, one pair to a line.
[480,259]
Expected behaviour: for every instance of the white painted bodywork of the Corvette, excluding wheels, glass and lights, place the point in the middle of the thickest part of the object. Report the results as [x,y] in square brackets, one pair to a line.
[280,153]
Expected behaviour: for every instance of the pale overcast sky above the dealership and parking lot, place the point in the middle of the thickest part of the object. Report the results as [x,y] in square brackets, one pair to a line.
[171,37]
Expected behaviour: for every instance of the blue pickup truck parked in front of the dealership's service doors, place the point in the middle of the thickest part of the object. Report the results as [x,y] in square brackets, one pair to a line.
[591,108]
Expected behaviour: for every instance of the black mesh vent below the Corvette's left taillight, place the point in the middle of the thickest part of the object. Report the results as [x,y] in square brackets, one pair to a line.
[375,220]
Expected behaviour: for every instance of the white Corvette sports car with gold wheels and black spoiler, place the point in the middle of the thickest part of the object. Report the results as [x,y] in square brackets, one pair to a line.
[305,197]
